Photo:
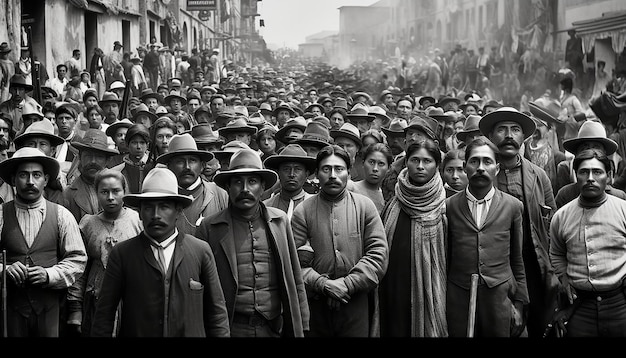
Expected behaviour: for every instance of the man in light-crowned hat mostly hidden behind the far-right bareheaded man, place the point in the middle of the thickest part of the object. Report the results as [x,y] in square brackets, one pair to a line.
[591,135]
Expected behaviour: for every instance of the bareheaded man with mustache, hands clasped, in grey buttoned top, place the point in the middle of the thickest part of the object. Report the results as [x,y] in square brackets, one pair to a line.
[343,251]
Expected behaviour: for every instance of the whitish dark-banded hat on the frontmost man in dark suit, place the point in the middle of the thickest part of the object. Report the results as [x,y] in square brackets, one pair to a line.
[159,184]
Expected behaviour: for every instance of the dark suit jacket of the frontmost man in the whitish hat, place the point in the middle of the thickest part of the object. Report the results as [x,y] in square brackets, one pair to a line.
[195,309]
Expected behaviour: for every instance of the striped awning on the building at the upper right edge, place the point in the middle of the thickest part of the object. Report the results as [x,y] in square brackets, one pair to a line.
[609,25]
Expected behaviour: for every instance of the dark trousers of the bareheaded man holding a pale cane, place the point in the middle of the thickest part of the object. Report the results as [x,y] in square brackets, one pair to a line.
[493,310]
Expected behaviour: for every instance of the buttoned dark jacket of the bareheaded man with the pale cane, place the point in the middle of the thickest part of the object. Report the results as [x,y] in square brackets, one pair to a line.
[494,250]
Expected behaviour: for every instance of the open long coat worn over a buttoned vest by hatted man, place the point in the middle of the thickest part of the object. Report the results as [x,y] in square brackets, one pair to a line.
[217,230]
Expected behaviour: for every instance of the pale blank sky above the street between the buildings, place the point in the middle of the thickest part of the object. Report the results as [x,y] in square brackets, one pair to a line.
[289,22]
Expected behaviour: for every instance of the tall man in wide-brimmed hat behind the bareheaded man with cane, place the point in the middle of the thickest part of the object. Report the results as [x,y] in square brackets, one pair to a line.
[507,128]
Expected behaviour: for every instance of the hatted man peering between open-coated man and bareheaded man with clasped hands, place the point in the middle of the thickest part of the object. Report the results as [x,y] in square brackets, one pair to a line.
[293,166]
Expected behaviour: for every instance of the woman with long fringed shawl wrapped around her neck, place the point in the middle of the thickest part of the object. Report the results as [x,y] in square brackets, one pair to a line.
[415,224]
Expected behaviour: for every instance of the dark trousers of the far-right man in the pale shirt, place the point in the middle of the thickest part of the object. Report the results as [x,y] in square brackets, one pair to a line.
[599,316]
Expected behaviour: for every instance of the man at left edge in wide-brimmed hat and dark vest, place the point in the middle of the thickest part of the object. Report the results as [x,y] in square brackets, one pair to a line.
[45,251]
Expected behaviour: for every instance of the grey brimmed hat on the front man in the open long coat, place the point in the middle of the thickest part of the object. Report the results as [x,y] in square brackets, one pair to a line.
[246,162]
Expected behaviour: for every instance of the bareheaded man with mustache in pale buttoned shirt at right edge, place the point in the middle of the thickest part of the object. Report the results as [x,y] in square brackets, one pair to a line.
[588,254]
